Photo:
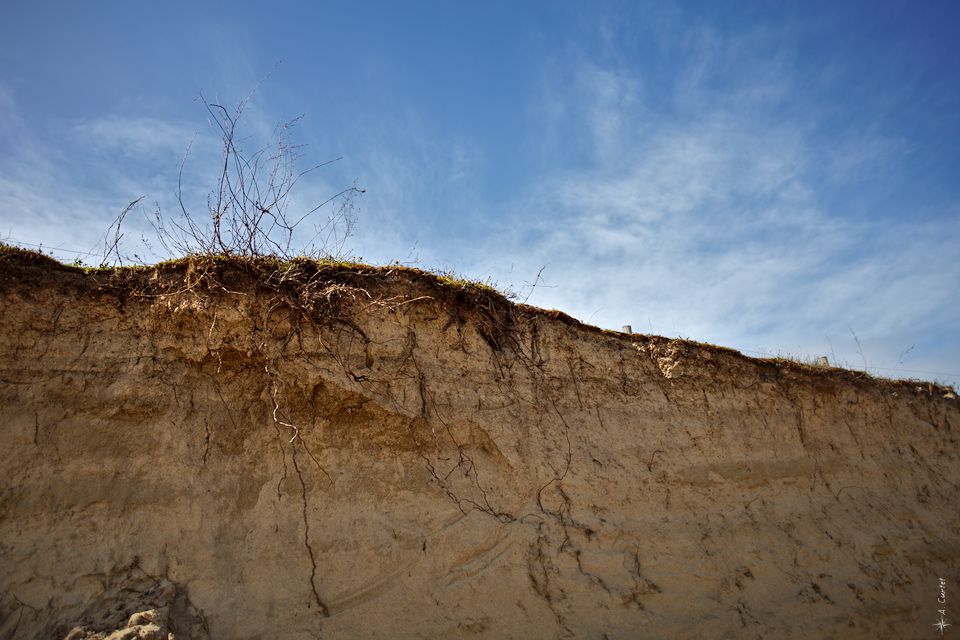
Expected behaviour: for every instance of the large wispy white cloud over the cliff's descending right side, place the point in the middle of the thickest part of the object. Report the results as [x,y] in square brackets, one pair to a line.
[709,222]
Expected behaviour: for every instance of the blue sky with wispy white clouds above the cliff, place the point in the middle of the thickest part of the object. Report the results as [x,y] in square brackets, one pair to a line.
[773,177]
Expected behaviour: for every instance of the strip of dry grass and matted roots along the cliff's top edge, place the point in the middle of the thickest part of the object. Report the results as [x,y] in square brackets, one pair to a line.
[318,288]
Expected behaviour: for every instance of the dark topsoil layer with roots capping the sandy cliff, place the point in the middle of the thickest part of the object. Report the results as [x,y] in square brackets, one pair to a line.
[300,281]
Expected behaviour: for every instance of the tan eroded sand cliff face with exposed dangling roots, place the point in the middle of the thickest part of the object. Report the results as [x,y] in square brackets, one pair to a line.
[349,452]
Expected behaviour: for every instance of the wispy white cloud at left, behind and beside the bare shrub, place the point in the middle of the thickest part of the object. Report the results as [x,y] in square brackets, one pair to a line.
[66,195]
